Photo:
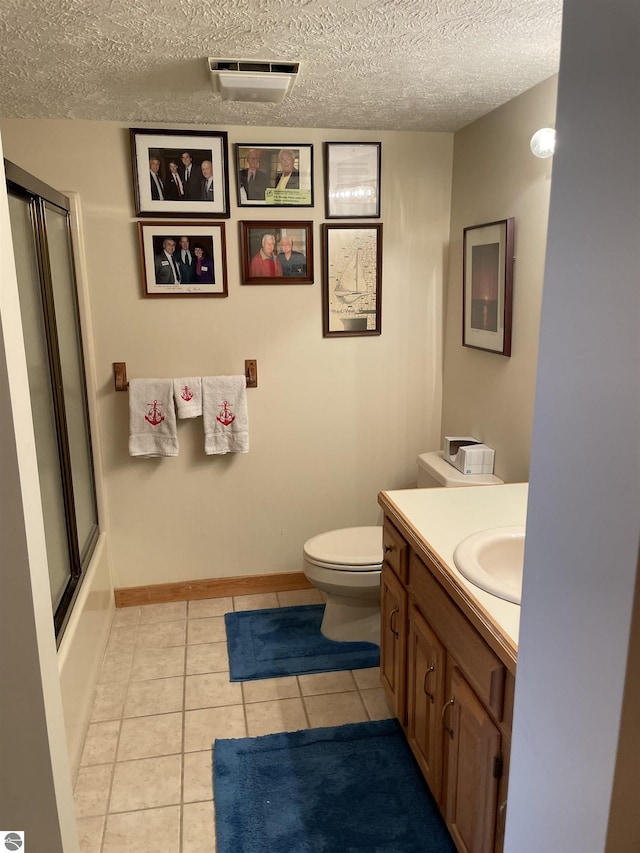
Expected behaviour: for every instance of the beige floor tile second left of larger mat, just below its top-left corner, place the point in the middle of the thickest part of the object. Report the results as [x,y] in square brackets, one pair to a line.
[145,784]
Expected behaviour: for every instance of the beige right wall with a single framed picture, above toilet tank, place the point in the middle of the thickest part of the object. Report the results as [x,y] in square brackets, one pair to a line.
[495,176]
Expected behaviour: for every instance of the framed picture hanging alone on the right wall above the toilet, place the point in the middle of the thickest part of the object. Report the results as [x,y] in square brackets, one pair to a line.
[487,295]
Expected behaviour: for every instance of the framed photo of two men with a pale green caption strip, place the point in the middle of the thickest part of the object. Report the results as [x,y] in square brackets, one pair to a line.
[274,175]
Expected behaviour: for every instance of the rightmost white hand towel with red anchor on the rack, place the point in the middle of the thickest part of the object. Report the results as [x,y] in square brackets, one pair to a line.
[224,412]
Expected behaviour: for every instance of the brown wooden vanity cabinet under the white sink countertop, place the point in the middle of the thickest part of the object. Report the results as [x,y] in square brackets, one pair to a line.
[452,693]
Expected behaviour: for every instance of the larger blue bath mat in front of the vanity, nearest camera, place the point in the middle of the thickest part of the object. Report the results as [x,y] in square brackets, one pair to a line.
[343,789]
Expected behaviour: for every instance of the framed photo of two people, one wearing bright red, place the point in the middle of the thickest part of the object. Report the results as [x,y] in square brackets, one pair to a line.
[276,252]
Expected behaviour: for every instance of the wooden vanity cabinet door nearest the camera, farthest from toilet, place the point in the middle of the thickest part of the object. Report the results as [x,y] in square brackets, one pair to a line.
[472,768]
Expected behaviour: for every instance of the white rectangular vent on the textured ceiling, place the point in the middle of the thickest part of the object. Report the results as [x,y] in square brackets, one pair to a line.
[253,80]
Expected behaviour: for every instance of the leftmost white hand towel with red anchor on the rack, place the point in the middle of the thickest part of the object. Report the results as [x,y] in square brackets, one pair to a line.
[152,418]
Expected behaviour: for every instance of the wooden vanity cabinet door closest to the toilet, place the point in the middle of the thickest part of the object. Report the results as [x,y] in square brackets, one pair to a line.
[393,640]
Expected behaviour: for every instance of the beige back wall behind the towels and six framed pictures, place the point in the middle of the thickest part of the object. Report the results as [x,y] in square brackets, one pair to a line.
[332,422]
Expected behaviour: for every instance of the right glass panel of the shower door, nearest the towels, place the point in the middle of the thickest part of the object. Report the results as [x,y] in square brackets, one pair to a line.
[70,346]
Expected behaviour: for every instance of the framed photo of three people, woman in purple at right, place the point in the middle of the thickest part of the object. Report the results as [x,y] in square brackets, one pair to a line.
[183,258]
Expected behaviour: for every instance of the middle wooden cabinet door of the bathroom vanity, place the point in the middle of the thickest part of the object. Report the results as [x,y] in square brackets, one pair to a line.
[425,698]
